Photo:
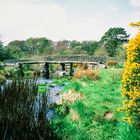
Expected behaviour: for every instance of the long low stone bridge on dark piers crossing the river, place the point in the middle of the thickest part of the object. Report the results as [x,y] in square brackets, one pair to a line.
[62,60]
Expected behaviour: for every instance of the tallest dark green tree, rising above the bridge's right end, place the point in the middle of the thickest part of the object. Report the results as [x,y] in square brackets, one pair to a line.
[113,38]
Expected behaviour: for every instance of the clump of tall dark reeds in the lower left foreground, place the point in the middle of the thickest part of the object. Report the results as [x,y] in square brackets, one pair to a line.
[21,116]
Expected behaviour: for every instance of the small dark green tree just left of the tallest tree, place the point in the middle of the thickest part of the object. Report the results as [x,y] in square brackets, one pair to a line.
[89,46]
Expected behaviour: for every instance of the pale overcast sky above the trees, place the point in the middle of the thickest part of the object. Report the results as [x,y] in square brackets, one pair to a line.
[65,19]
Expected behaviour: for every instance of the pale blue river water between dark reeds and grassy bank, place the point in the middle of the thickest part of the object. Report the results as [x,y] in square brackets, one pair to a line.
[52,95]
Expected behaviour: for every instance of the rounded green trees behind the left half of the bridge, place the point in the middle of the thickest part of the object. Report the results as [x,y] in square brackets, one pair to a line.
[32,46]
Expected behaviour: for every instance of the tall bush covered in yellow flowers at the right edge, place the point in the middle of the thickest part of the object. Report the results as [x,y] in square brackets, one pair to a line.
[131,81]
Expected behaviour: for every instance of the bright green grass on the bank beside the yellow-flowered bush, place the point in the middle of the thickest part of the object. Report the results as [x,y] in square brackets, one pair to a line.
[99,97]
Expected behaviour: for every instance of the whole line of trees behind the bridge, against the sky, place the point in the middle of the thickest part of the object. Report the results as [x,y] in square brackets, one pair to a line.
[109,42]
